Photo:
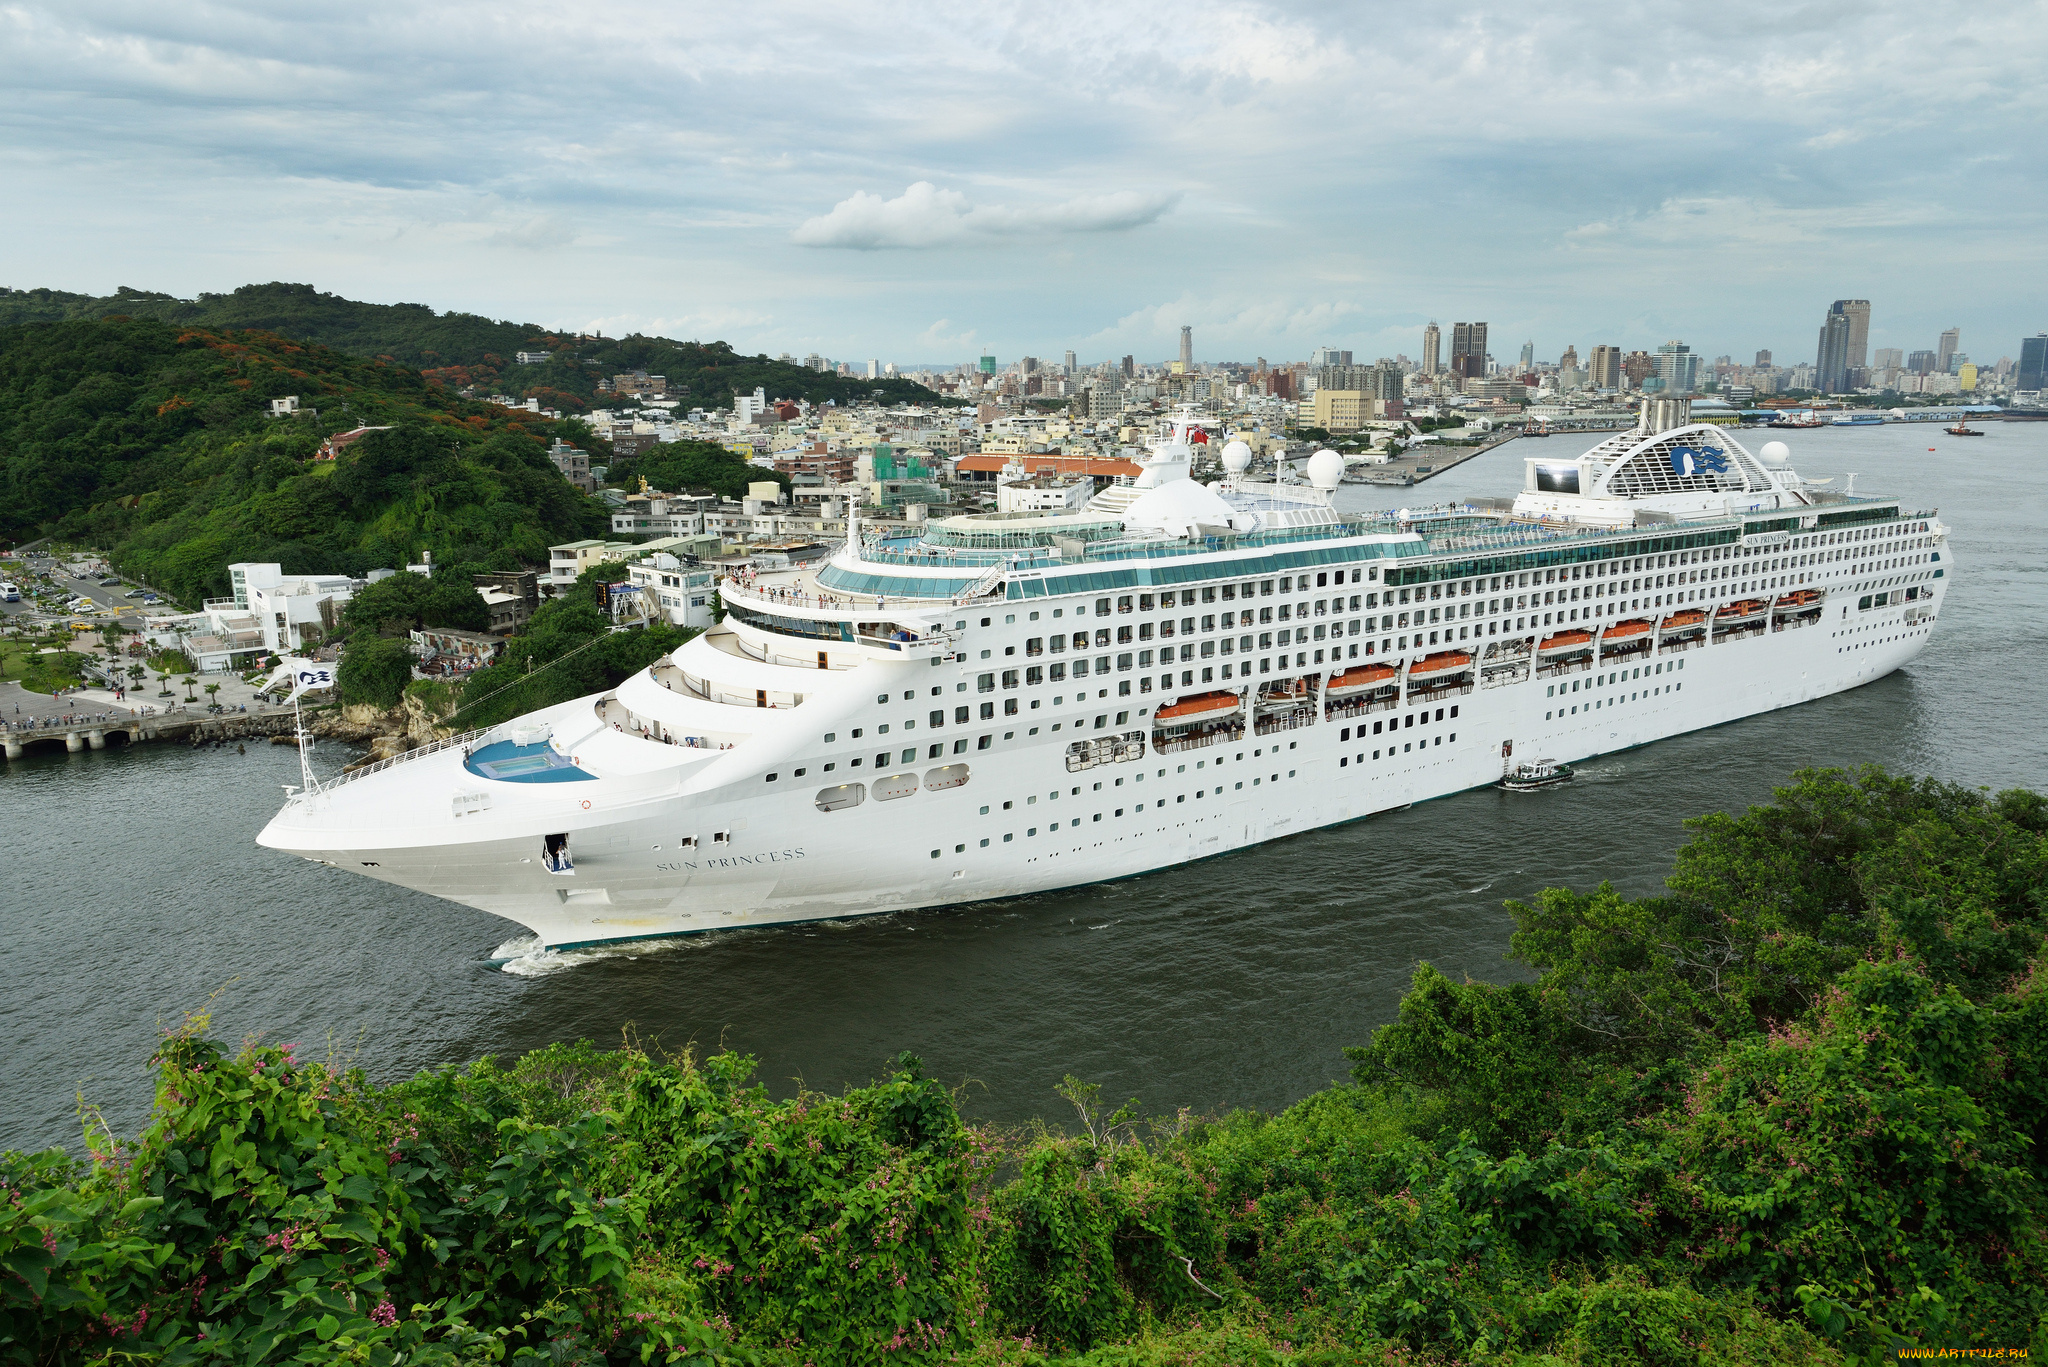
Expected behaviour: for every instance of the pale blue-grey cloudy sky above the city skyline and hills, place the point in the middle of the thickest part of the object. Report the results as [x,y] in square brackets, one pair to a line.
[925,183]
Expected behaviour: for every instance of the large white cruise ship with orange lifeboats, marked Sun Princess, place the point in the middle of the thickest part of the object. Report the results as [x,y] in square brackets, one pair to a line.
[1007,704]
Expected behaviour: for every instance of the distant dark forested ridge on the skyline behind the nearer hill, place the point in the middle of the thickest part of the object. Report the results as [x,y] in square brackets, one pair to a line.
[470,351]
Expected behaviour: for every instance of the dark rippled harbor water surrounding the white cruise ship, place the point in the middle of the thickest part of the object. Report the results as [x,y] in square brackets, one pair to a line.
[136,890]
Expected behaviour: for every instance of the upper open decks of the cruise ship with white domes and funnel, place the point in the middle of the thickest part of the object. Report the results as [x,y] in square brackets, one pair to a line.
[1168,530]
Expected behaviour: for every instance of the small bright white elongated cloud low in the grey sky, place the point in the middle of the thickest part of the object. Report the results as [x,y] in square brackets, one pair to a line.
[927,216]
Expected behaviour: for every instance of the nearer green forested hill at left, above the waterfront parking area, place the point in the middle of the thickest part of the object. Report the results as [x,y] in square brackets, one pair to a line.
[155,442]
